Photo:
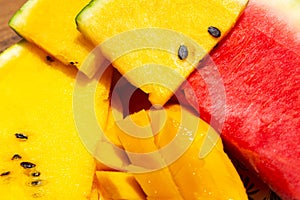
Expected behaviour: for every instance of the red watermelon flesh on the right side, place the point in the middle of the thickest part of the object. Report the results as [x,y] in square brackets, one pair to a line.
[259,64]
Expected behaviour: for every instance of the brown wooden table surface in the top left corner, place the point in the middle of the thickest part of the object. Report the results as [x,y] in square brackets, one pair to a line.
[7,35]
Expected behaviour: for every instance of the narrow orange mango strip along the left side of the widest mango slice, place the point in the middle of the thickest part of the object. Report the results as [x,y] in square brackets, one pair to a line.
[152,183]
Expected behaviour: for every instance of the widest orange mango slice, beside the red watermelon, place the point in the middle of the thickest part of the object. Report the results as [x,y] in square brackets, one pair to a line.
[212,177]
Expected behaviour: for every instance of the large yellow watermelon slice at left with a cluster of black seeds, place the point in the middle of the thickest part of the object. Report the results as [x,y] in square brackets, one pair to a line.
[36,99]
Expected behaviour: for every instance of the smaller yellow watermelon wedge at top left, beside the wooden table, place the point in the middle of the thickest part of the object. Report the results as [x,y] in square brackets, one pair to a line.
[51,25]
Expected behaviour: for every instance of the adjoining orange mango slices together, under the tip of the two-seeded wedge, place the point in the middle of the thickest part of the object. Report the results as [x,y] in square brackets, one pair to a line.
[176,171]
